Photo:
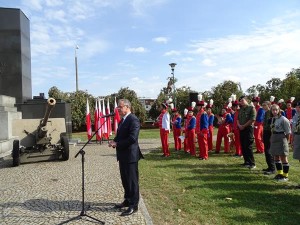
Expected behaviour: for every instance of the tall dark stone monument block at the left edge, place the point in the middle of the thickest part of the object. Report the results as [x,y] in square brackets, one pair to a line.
[15,56]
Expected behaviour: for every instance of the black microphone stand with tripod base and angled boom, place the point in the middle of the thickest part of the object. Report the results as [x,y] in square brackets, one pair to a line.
[82,153]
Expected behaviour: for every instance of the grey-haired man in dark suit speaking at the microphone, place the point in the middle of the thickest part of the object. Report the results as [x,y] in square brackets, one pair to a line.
[128,155]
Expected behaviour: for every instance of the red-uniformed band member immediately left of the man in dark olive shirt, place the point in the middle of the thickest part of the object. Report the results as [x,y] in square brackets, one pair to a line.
[235,129]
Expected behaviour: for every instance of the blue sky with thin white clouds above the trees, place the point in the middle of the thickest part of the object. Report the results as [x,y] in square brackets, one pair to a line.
[130,43]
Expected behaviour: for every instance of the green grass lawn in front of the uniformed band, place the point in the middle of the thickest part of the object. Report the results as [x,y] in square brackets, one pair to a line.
[184,190]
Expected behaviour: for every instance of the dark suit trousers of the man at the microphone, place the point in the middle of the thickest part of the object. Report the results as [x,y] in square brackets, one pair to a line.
[130,181]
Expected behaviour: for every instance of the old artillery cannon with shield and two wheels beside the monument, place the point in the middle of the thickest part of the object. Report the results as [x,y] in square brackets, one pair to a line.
[40,139]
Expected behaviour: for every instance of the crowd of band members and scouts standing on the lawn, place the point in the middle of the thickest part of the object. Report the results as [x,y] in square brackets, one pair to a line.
[241,123]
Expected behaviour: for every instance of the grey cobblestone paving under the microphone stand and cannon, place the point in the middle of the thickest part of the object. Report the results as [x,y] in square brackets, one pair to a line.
[51,192]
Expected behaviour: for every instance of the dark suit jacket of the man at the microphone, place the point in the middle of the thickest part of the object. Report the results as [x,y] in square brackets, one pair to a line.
[128,149]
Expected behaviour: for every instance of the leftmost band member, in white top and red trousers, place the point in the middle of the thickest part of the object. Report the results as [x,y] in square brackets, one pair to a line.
[164,128]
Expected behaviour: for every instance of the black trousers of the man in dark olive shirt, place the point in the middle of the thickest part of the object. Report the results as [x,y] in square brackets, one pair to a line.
[247,139]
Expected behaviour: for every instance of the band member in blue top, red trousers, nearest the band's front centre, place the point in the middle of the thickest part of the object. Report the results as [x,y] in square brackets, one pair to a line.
[202,130]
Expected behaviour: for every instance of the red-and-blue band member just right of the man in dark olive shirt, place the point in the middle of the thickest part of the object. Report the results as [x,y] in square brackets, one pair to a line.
[258,125]
